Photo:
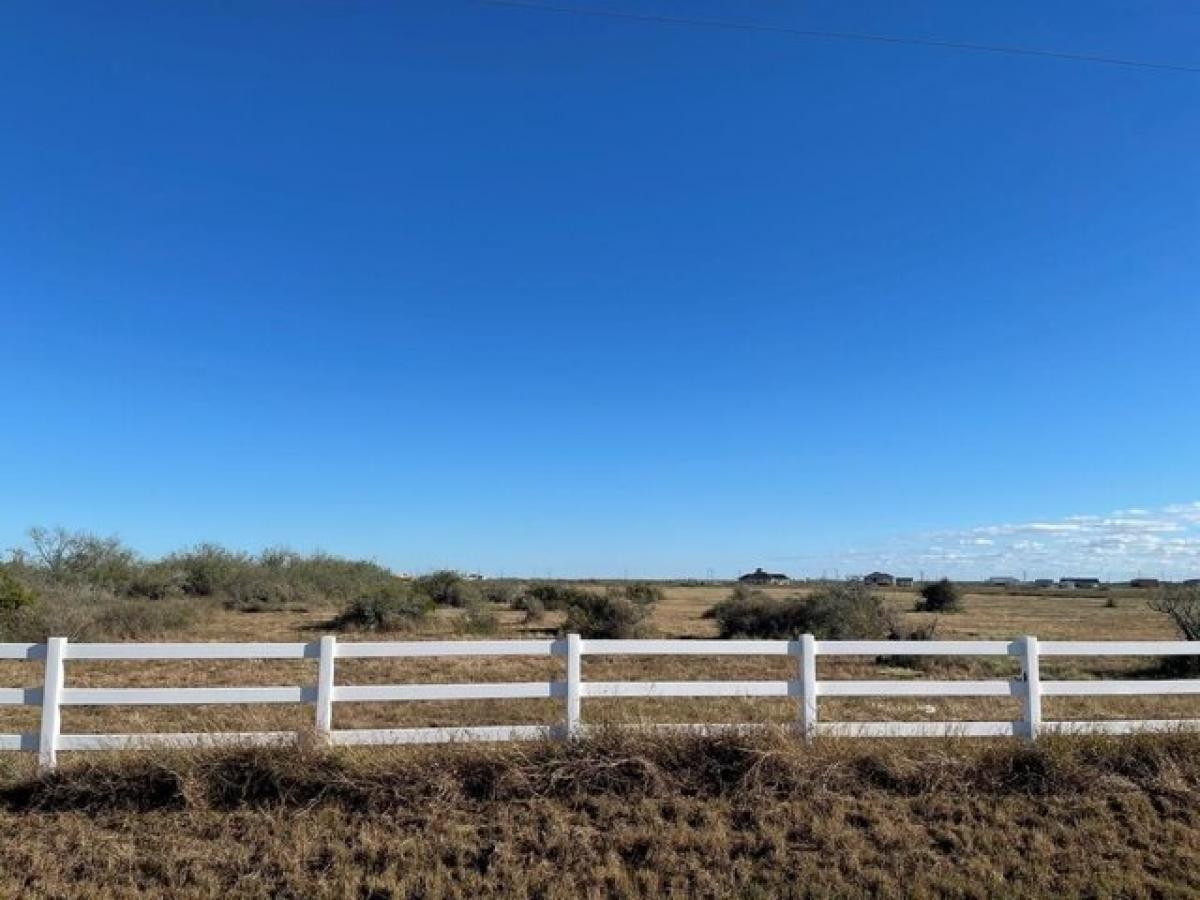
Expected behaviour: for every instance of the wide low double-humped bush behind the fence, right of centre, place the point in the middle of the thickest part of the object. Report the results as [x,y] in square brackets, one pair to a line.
[835,614]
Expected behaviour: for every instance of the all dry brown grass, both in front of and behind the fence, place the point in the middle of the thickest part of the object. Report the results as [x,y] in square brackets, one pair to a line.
[739,817]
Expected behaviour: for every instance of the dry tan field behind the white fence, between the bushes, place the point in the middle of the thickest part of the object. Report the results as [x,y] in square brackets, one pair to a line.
[988,615]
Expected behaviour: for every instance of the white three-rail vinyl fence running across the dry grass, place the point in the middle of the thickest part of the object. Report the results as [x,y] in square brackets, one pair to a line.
[805,688]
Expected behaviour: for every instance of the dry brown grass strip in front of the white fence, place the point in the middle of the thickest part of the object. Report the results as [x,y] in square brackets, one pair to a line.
[735,815]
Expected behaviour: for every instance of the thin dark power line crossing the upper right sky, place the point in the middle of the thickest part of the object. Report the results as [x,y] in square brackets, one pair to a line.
[843,35]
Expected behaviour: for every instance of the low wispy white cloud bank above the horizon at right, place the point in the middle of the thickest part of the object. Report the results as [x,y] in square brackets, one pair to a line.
[1123,544]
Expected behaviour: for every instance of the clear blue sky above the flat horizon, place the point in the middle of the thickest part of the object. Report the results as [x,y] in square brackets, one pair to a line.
[514,291]
